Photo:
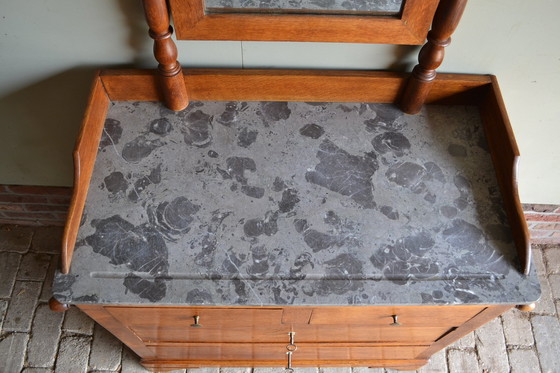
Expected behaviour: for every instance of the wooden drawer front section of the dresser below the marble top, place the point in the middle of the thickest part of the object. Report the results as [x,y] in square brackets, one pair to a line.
[398,337]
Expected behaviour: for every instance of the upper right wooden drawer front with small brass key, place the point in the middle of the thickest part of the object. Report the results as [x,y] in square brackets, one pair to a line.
[406,316]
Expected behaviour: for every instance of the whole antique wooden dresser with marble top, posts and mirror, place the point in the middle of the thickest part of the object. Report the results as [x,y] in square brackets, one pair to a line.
[295,218]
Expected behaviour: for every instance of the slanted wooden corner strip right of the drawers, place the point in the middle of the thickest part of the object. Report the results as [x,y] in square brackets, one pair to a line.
[486,315]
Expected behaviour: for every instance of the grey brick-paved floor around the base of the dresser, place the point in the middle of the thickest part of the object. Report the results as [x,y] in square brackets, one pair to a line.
[34,339]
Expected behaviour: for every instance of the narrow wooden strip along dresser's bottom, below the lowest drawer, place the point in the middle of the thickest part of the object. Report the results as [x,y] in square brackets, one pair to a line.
[403,364]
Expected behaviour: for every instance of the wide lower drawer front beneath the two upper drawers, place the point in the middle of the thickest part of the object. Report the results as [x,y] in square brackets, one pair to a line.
[277,352]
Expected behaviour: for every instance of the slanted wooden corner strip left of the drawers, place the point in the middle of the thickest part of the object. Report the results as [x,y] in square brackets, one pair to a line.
[106,320]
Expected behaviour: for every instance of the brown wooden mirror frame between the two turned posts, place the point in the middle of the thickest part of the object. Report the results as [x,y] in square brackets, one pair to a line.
[409,28]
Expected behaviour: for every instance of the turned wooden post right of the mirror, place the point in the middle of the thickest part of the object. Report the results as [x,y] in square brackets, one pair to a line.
[431,55]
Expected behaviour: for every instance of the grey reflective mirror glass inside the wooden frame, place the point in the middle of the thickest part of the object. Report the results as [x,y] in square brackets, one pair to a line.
[377,7]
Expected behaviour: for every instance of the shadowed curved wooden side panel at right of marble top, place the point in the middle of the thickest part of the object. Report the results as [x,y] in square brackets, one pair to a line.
[505,155]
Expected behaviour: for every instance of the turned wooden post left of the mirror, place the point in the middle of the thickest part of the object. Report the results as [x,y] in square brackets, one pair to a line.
[170,76]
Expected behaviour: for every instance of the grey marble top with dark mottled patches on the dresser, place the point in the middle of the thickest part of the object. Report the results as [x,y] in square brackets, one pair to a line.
[293,203]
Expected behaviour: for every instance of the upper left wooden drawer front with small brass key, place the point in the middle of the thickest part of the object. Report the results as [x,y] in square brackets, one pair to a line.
[172,324]
